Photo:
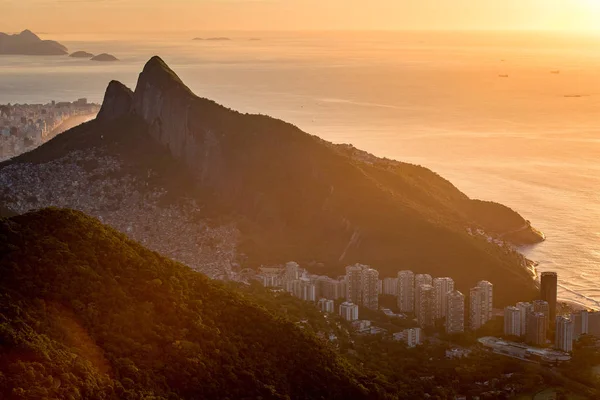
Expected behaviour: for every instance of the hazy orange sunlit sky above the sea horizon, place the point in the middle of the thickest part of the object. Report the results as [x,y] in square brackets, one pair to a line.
[214,15]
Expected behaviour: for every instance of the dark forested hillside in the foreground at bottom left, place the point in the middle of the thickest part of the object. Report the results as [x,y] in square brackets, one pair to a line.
[86,313]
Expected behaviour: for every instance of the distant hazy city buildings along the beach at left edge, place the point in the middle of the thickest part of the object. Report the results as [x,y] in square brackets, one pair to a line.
[24,126]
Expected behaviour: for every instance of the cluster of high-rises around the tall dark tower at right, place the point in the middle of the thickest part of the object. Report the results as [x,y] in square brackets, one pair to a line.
[536,322]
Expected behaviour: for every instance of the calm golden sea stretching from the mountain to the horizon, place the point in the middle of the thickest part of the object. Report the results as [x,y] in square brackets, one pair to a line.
[530,140]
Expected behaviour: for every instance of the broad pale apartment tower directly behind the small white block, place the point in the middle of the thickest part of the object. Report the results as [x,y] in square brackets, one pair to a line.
[363,286]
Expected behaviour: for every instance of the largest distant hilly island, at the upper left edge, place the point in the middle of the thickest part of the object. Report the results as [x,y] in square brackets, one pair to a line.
[29,44]
